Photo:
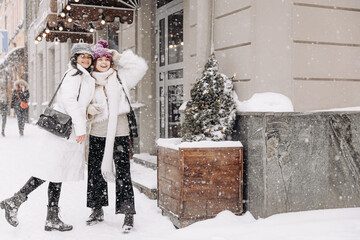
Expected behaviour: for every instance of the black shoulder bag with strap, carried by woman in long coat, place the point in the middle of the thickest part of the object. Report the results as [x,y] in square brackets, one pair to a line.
[55,122]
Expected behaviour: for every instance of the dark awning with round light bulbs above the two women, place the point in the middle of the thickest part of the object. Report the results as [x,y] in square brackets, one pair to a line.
[76,19]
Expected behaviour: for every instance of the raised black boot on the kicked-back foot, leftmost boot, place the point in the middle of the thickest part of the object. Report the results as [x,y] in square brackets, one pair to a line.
[11,206]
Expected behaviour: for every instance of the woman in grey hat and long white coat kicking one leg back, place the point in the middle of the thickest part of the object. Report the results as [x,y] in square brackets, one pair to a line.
[67,160]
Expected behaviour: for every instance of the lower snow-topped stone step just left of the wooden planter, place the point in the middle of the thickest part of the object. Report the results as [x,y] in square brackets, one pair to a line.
[144,179]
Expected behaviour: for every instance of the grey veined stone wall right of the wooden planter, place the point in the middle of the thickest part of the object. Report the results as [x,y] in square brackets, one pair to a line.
[299,161]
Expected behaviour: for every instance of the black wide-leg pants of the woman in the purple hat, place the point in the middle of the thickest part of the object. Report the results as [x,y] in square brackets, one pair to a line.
[97,191]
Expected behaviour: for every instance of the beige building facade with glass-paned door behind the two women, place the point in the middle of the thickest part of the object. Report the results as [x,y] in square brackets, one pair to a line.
[307,50]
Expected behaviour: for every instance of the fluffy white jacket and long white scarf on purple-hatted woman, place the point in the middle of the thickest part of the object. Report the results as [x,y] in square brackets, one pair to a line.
[130,69]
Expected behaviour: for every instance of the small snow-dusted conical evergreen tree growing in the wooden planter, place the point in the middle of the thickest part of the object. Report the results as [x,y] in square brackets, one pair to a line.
[210,114]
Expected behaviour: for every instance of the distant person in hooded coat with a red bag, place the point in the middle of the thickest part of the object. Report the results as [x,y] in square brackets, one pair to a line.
[20,94]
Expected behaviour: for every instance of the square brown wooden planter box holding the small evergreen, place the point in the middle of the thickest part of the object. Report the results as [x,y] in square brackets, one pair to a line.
[196,183]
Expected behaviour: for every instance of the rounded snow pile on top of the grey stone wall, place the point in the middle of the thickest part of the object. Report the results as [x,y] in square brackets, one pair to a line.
[265,102]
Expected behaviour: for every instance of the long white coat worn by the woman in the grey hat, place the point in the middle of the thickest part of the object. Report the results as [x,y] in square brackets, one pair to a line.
[67,161]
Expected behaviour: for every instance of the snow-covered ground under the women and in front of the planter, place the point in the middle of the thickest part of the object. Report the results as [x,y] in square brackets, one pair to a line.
[336,224]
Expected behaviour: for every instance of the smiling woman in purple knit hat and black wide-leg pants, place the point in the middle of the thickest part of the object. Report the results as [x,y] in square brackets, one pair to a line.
[115,74]
